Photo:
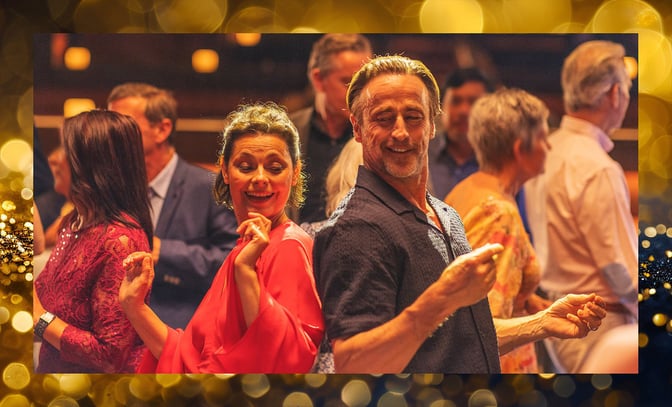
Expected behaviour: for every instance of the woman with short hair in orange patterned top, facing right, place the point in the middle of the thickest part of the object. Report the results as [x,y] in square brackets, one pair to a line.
[508,131]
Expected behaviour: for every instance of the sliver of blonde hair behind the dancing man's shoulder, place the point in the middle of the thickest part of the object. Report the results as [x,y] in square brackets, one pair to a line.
[342,174]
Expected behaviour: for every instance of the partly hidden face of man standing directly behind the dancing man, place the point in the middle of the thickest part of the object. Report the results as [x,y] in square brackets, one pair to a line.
[334,83]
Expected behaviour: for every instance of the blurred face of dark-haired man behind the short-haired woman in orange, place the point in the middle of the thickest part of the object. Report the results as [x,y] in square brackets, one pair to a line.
[457,104]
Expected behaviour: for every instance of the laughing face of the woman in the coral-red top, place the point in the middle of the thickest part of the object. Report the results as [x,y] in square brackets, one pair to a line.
[260,175]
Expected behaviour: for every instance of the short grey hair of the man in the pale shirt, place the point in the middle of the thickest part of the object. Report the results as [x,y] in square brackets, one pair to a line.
[590,71]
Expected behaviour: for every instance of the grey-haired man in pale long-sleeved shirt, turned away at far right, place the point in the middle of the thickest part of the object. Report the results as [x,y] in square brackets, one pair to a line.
[579,209]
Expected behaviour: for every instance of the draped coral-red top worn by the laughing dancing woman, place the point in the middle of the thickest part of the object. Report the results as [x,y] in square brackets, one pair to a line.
[283,338]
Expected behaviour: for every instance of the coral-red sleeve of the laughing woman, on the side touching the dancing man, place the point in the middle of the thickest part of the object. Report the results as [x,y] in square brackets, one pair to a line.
[288,329]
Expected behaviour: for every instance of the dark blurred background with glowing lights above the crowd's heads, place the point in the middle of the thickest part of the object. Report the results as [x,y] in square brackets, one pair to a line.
[211,74]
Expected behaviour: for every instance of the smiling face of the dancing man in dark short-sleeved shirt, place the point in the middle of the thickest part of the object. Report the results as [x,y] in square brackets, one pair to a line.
[396,126]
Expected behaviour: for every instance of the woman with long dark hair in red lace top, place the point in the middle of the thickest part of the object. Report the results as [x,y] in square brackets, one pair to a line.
[76,308]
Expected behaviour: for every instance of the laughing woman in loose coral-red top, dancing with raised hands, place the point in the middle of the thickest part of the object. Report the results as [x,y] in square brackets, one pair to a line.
[262,313]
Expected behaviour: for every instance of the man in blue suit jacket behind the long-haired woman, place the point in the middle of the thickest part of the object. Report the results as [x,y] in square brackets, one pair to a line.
[192,234]
